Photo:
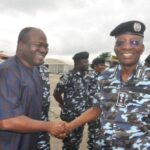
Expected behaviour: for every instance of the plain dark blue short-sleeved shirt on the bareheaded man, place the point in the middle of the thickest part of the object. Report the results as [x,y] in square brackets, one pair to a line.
[20,94]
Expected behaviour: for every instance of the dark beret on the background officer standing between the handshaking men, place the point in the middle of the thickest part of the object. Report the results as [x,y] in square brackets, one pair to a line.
[80,55]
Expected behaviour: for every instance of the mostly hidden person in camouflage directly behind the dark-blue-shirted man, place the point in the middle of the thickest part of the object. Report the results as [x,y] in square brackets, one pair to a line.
[44,138]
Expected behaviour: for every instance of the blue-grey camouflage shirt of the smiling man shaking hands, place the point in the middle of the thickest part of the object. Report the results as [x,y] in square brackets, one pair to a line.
[126,108]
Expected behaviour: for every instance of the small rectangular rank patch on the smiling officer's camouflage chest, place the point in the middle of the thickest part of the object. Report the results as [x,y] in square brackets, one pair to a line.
[121,99]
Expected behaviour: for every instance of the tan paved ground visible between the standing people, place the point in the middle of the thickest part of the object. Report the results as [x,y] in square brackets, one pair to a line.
[56,144]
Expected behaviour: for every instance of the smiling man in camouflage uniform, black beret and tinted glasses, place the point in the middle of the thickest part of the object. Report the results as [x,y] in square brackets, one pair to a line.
[125,94]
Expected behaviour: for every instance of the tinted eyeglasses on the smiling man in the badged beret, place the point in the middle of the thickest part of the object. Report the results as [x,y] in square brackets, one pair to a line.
[132,43]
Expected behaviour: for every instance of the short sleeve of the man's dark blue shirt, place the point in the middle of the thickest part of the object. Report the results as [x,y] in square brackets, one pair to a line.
[10,94]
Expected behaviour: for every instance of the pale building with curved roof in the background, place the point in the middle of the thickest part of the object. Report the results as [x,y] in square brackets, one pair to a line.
[56,66]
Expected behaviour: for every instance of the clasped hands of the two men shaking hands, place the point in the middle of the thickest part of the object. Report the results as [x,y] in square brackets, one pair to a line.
[60,129]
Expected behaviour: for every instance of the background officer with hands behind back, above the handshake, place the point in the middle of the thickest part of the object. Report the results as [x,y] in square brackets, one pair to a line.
[71,94]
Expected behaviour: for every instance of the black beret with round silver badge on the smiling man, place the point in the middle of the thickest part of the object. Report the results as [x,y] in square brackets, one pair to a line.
[131,27]
